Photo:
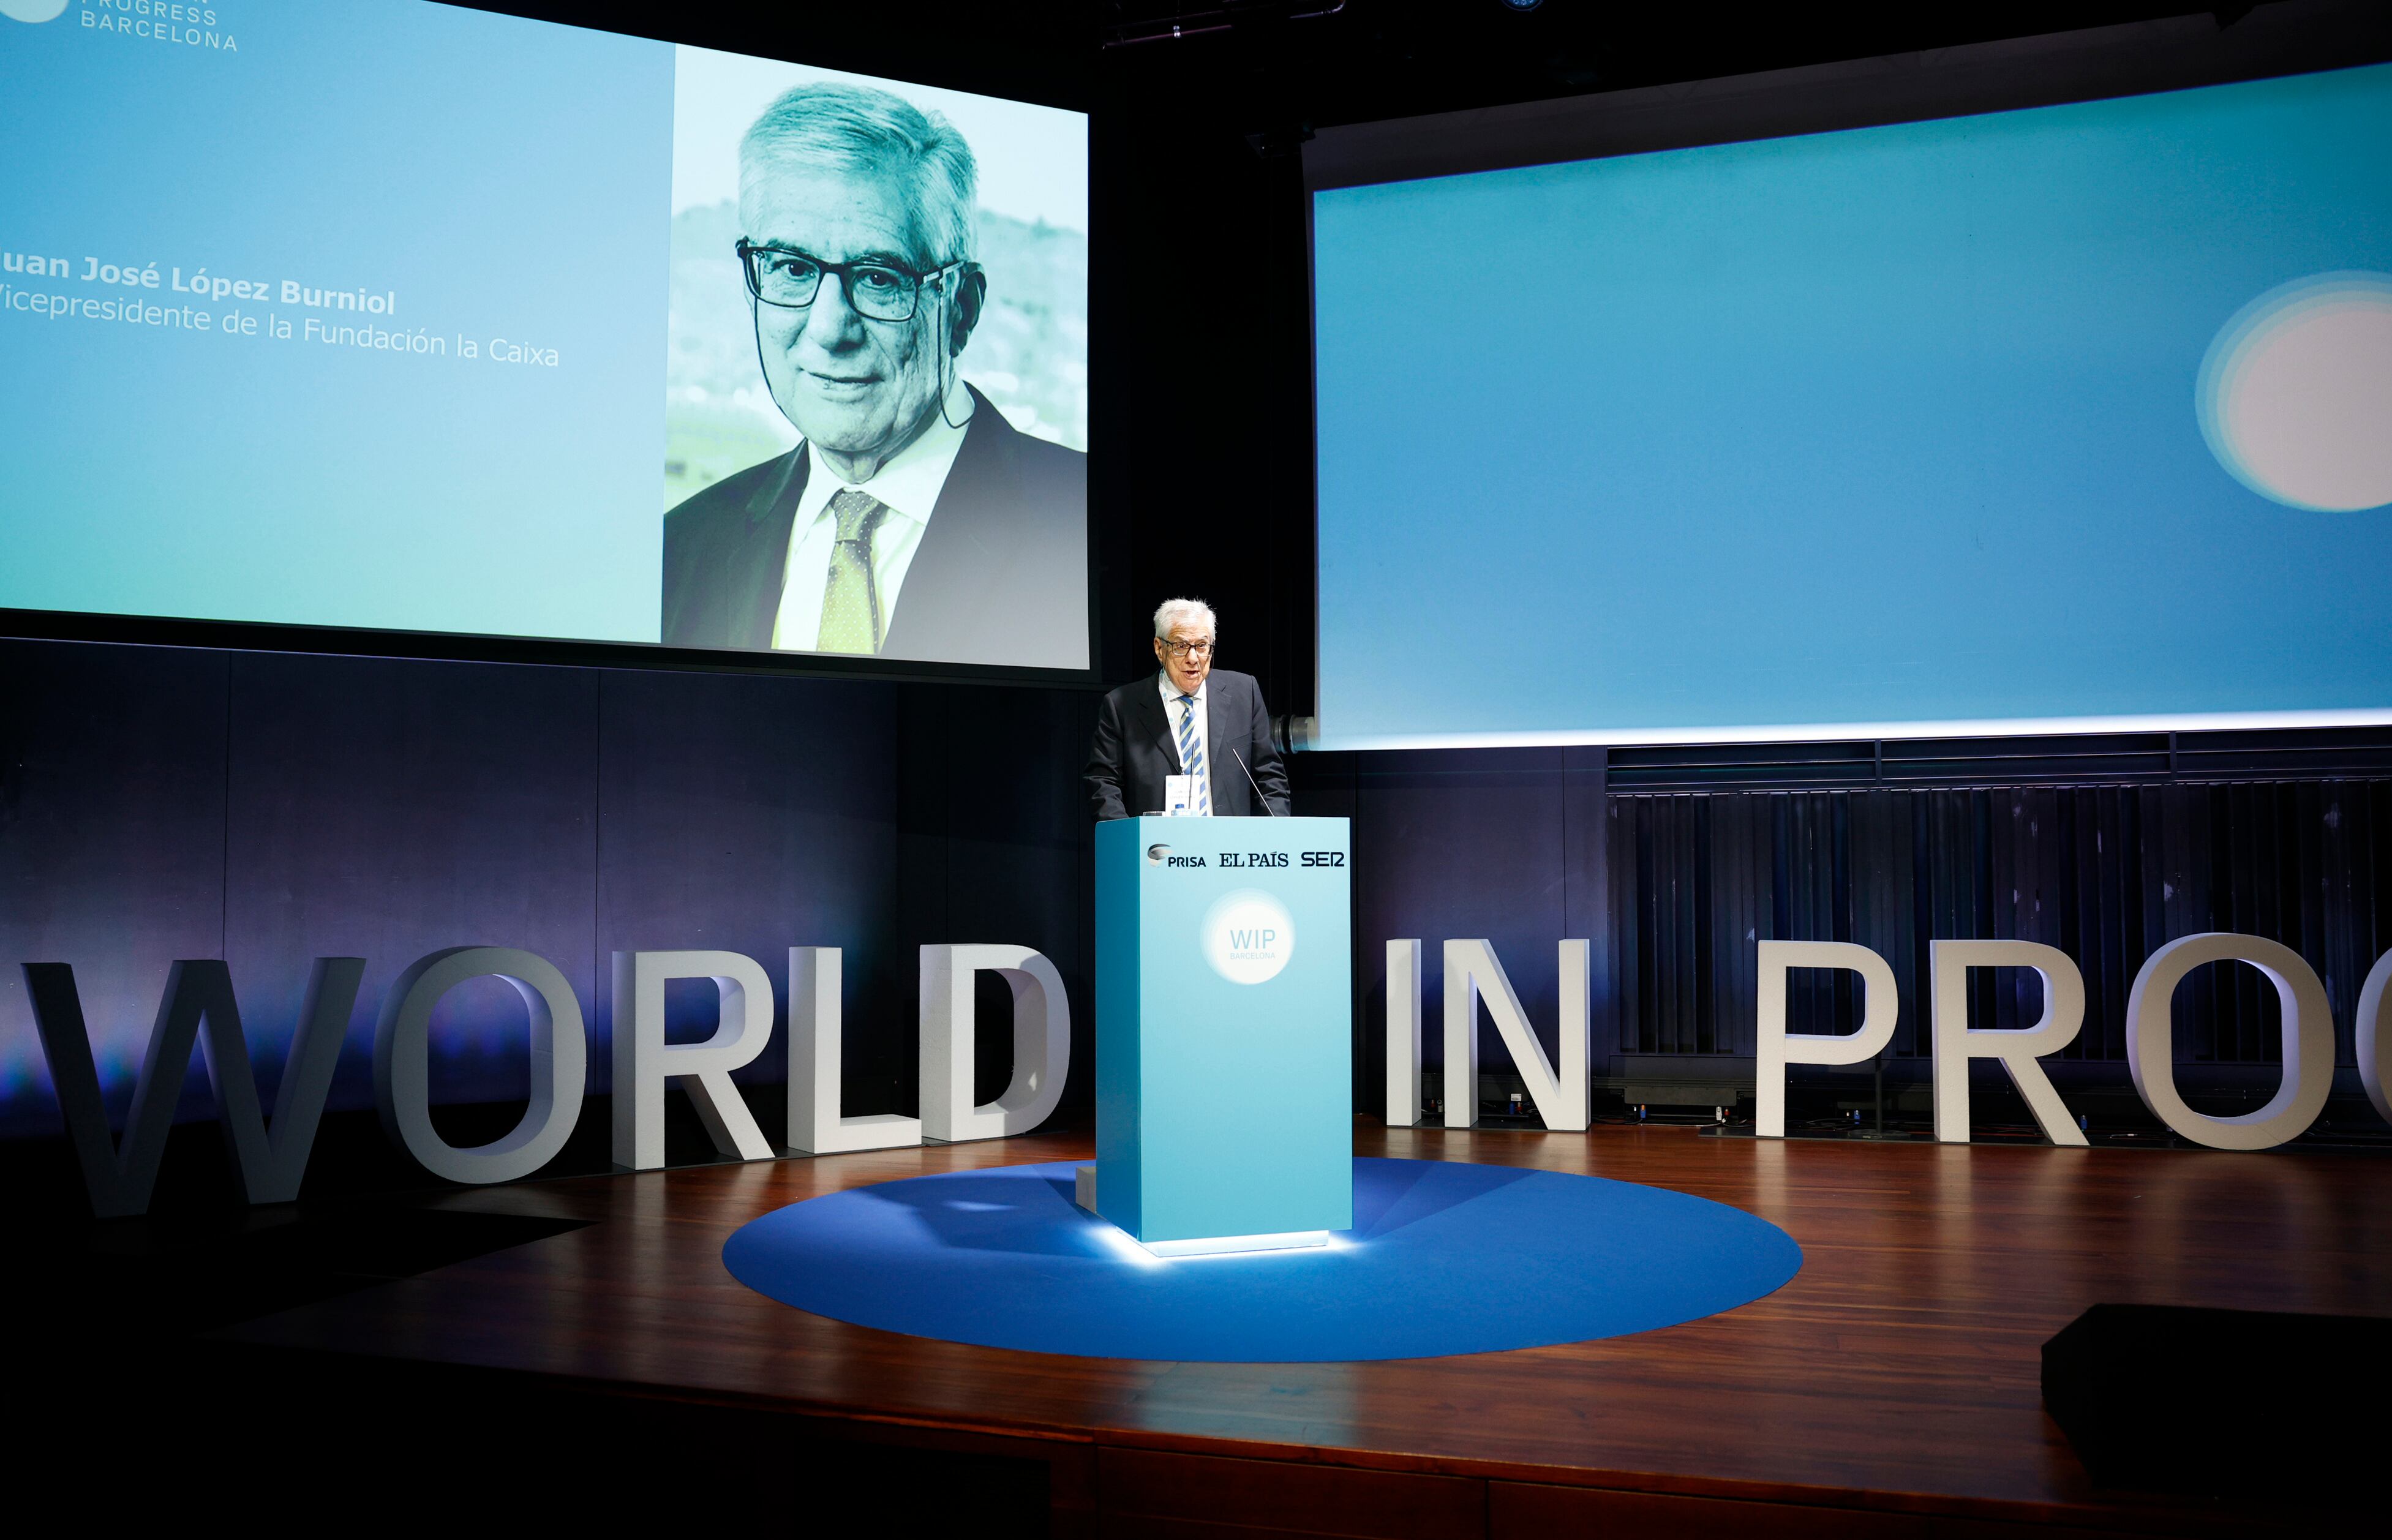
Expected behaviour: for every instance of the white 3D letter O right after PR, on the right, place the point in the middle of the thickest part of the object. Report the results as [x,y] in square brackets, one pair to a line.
[2309,1041]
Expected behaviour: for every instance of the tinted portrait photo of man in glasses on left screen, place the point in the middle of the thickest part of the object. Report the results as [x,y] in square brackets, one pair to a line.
[877,389]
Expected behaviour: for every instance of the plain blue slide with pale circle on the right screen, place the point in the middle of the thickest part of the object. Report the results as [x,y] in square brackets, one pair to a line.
[2039,420]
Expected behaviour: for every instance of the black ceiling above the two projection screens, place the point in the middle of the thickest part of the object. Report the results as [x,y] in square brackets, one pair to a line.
[1252,66]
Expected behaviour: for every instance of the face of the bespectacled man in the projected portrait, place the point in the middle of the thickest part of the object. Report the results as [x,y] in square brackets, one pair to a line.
[862,389]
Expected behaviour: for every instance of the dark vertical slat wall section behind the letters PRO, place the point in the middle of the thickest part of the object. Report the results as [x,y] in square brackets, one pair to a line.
[2106,874]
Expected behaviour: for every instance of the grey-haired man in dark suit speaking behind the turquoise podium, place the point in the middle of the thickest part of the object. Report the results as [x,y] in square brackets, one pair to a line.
[1185,721]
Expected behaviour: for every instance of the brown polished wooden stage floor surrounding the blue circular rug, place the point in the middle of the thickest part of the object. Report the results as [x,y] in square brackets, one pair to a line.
[1888,1391]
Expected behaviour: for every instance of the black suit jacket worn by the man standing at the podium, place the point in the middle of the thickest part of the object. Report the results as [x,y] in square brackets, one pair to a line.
[1135,750]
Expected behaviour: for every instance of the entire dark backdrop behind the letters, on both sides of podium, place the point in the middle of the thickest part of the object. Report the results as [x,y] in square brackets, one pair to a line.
[267,809]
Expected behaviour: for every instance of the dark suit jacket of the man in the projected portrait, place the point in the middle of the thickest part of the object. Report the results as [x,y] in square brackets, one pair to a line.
[1001,575]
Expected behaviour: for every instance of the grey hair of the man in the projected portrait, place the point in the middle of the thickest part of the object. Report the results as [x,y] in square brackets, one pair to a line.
[877,133]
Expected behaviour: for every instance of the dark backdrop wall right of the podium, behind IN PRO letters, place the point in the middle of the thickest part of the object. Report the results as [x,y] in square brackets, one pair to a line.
[1678,860]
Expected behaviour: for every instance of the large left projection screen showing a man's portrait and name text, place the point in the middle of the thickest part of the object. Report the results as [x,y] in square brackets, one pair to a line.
[437,324]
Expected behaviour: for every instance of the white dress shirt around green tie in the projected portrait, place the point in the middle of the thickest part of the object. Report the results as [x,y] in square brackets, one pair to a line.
[910,489]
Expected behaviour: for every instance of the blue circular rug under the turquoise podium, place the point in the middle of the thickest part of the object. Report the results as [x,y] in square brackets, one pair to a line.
[1444,1259]
